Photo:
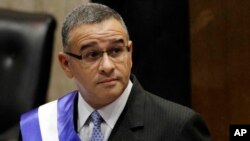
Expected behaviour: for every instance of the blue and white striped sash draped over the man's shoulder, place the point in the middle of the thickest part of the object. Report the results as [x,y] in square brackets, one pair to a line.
[51,122]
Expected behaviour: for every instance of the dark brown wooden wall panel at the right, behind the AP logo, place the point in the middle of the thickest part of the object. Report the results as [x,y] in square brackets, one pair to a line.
[220,58]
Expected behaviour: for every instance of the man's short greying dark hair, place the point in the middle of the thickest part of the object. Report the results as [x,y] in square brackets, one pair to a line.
[89,13]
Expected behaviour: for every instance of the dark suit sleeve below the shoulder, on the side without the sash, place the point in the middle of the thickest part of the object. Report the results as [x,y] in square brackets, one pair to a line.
[195,129]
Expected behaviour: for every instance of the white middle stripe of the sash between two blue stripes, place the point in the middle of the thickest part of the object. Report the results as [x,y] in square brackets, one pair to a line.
[48,121]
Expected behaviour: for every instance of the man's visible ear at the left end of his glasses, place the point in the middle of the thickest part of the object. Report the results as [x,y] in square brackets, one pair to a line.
[64,62]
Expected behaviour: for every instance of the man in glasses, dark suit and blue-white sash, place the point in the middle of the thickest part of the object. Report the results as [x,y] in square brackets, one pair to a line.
[109,104]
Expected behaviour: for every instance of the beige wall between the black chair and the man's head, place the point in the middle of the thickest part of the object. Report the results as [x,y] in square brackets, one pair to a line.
[59,84]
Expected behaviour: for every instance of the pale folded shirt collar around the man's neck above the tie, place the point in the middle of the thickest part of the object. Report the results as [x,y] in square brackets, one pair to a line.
[109,113]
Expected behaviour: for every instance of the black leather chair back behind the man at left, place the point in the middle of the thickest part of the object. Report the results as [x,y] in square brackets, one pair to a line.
[26,45]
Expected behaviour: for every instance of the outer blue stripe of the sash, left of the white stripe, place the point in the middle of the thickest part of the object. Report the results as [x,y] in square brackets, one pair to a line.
[29,125]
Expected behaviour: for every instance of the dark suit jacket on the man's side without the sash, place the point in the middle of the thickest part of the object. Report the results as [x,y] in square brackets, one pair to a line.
[147,117]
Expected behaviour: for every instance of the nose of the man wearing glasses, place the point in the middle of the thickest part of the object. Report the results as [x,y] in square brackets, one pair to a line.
[106,65]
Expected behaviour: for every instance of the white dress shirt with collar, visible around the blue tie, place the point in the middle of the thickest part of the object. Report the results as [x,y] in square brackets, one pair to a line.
[109,113]
